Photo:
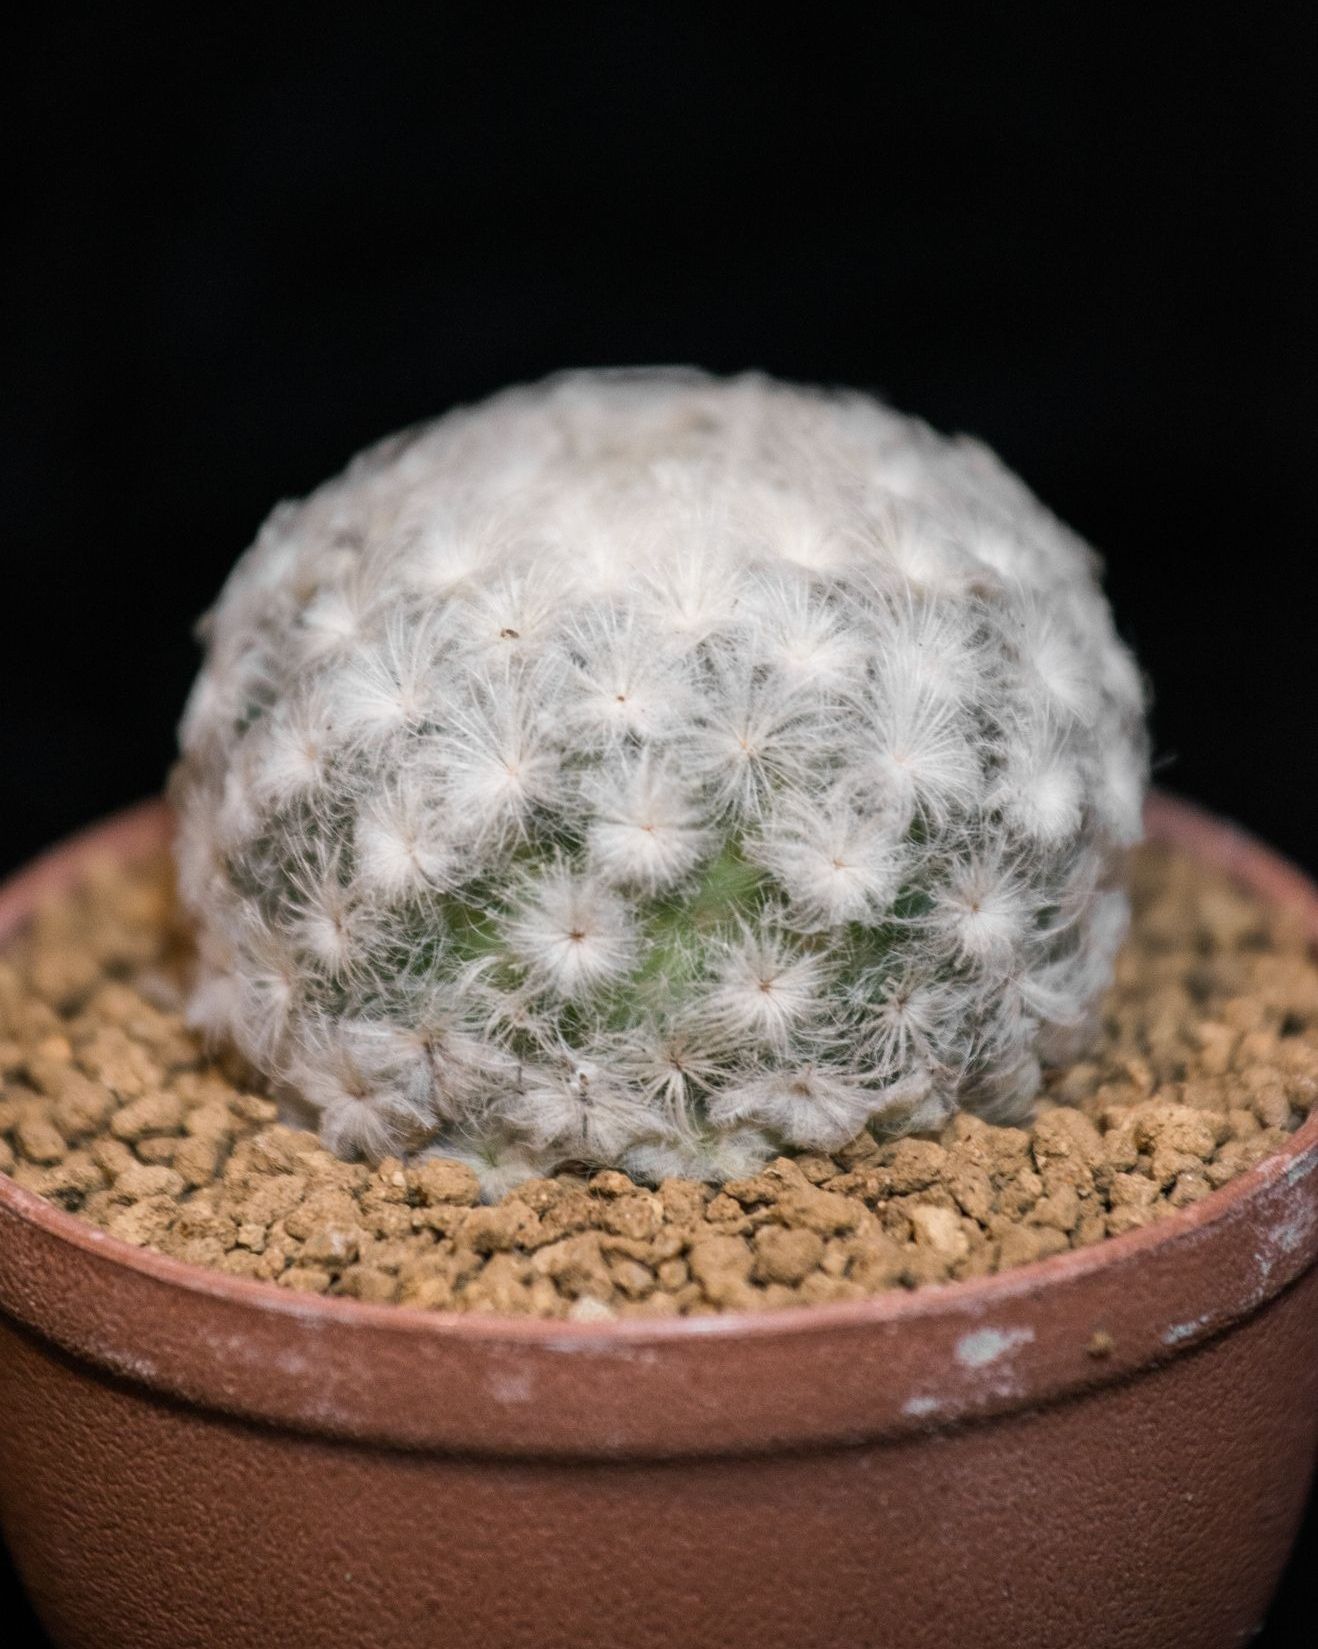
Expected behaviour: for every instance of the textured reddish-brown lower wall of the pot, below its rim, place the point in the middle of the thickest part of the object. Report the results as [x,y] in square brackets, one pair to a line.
[1156,1511]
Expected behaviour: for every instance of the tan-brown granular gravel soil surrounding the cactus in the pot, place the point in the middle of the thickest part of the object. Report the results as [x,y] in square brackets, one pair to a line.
[113,1111]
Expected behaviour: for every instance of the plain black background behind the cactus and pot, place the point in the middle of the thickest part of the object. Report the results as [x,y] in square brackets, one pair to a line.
[238,250]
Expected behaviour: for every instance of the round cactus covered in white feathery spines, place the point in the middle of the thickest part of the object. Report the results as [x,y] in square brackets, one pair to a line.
[659,771]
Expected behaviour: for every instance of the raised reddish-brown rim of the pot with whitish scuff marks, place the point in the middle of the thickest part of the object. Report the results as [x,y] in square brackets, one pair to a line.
[1264,1224]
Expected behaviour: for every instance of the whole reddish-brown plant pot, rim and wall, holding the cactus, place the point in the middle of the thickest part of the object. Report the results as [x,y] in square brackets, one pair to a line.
[195,1460]
